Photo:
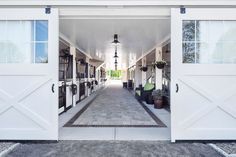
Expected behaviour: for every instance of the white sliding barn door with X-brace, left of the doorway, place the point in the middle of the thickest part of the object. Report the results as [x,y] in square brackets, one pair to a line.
[28,74]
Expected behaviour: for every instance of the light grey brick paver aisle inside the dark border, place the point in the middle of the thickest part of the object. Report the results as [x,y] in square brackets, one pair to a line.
[115,106]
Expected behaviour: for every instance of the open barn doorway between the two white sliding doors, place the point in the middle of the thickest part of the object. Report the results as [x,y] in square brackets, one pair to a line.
[102,107]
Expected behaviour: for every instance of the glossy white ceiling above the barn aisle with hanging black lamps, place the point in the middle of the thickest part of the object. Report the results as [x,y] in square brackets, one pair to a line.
[94,36]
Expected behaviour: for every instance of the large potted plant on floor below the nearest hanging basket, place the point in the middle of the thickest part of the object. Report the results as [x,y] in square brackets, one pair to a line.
[158,97]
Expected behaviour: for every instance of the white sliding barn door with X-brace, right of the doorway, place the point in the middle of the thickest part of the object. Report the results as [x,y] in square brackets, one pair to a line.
[203,98]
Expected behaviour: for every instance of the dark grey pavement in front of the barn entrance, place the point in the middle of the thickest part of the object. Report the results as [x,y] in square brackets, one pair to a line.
[113,149]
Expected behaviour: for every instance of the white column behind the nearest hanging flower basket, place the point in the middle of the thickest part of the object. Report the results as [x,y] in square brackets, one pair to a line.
[158,72]
